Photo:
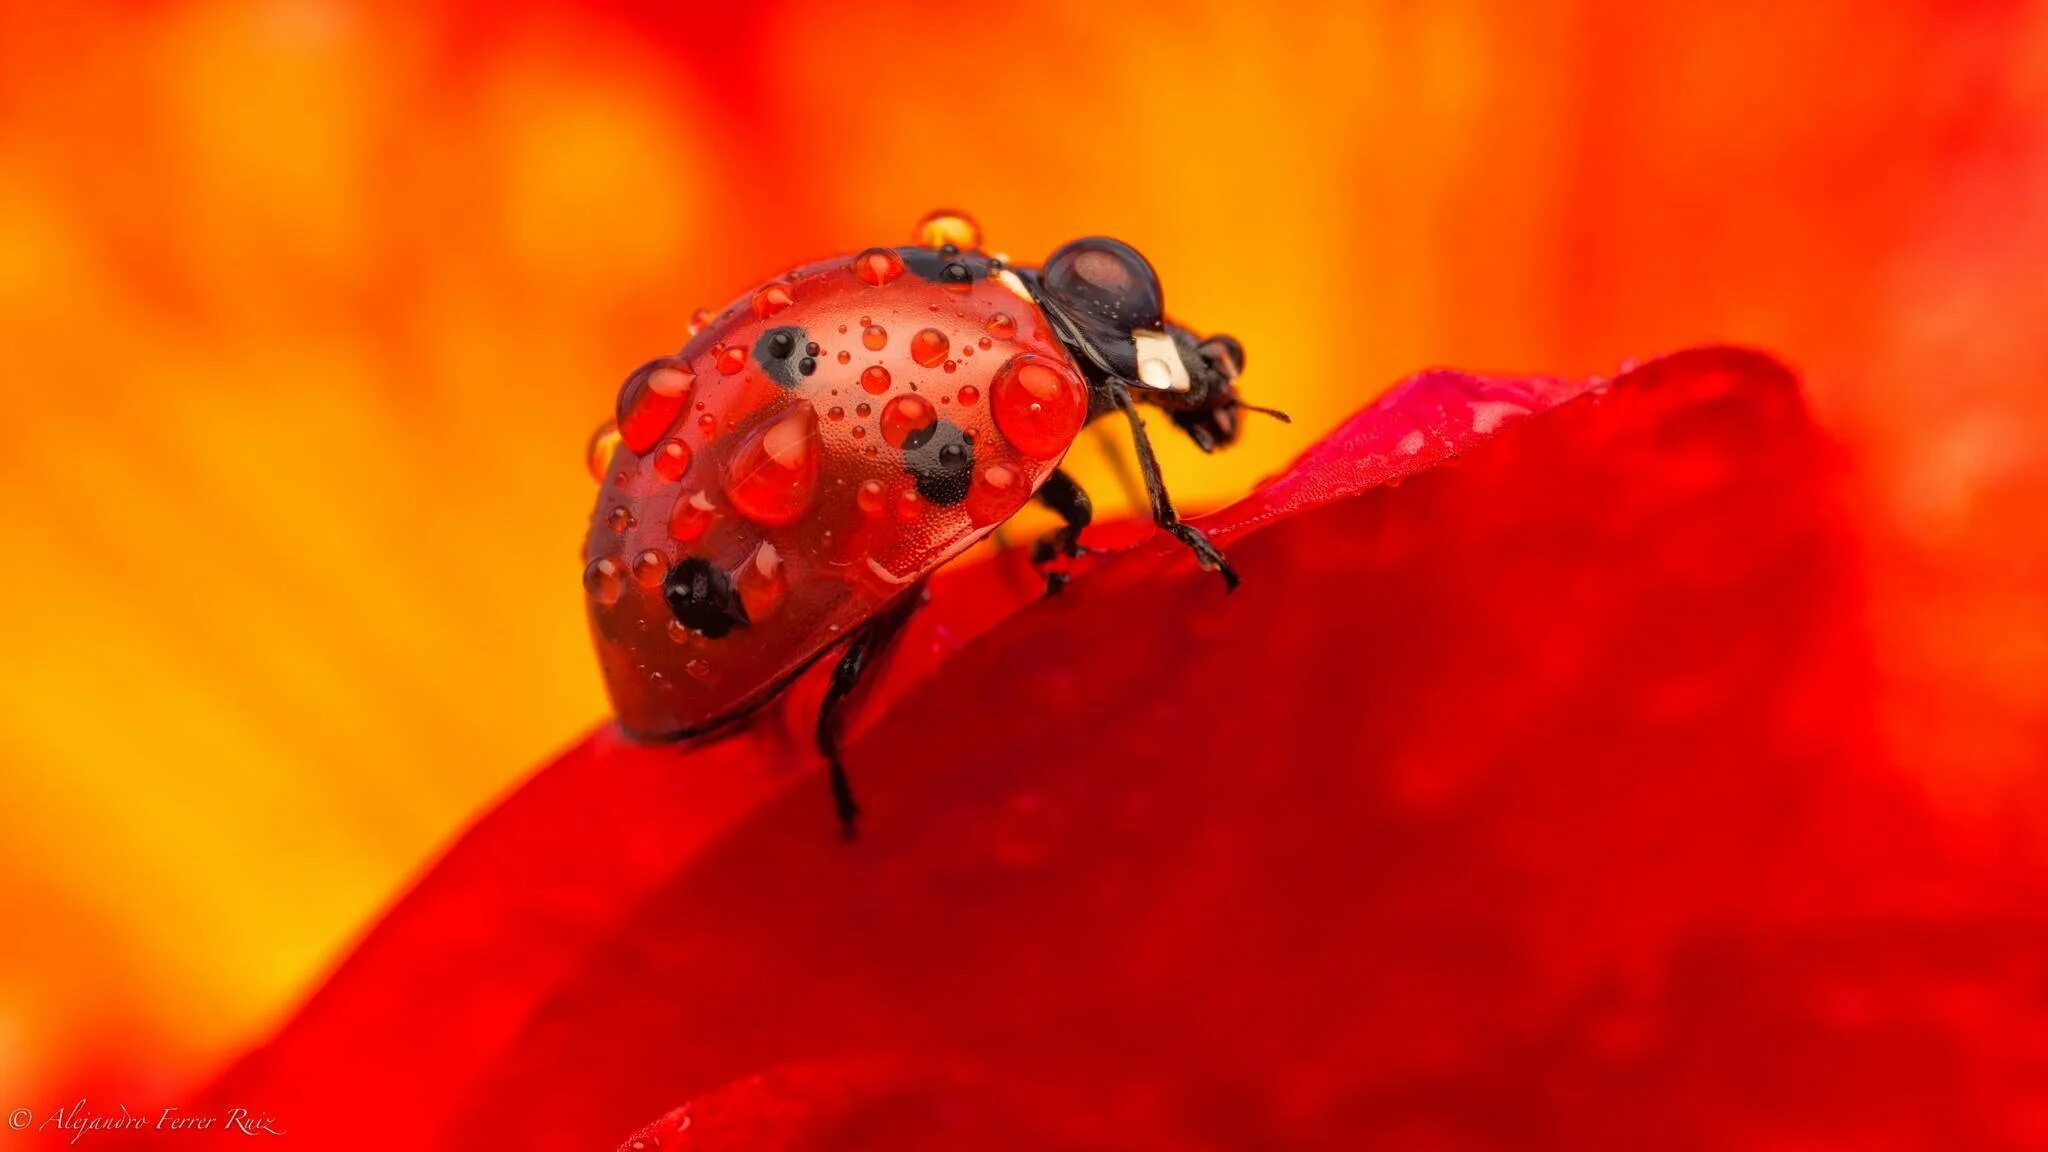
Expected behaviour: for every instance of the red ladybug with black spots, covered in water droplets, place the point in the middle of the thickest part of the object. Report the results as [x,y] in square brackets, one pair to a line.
[787,481]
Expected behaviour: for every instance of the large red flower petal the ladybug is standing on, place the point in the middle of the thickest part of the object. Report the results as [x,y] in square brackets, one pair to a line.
[1527,805]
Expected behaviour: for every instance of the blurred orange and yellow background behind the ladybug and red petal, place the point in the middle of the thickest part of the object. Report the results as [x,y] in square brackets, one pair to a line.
[308,311]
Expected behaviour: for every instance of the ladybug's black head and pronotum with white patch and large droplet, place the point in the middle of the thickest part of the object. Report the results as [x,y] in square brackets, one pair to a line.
[1107,298]
